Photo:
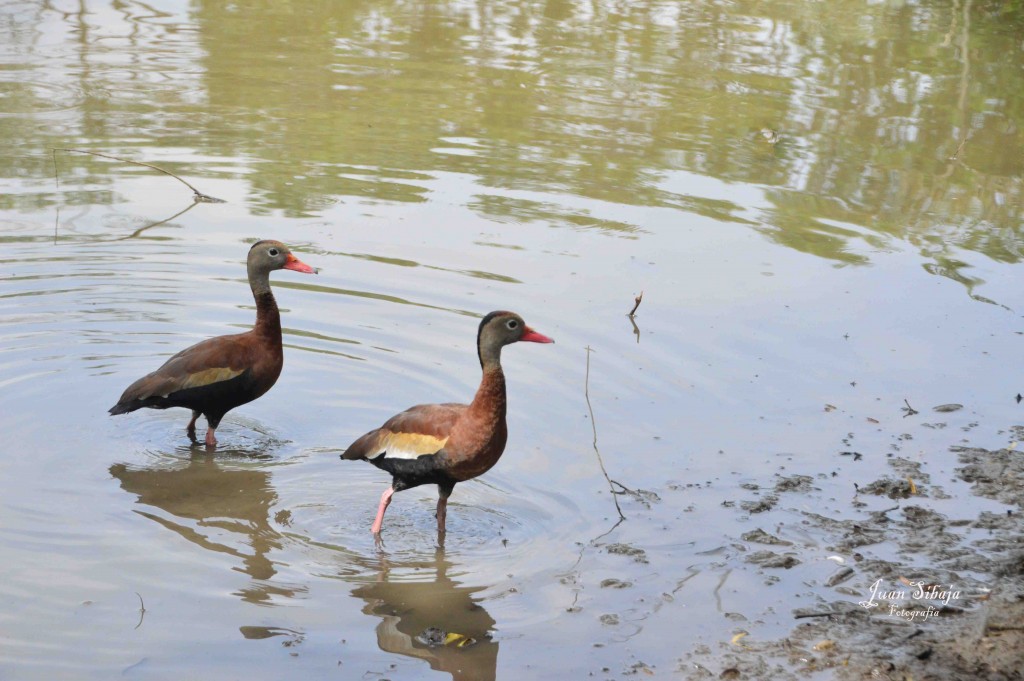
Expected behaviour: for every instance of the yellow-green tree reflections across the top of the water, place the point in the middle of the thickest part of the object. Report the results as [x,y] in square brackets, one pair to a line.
[900,121]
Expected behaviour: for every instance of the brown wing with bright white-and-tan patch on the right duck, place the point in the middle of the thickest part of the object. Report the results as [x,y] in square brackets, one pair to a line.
[418,432]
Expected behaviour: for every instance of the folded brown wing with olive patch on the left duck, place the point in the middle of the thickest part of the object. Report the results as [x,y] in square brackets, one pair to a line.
[208,363]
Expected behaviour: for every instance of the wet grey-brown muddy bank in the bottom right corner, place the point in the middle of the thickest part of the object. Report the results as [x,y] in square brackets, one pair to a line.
[950,607]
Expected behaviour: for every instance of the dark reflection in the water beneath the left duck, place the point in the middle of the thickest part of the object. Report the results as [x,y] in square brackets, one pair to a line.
[222,507]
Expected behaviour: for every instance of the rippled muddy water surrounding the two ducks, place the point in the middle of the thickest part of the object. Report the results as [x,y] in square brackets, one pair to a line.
[821,203]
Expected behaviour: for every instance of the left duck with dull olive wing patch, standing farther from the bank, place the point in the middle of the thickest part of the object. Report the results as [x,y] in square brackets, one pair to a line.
[217,375]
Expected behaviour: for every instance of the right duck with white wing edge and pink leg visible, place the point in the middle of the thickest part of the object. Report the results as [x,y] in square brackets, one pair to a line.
[448,444]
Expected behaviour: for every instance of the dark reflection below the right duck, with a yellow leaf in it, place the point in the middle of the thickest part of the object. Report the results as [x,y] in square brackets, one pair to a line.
[438,621]
